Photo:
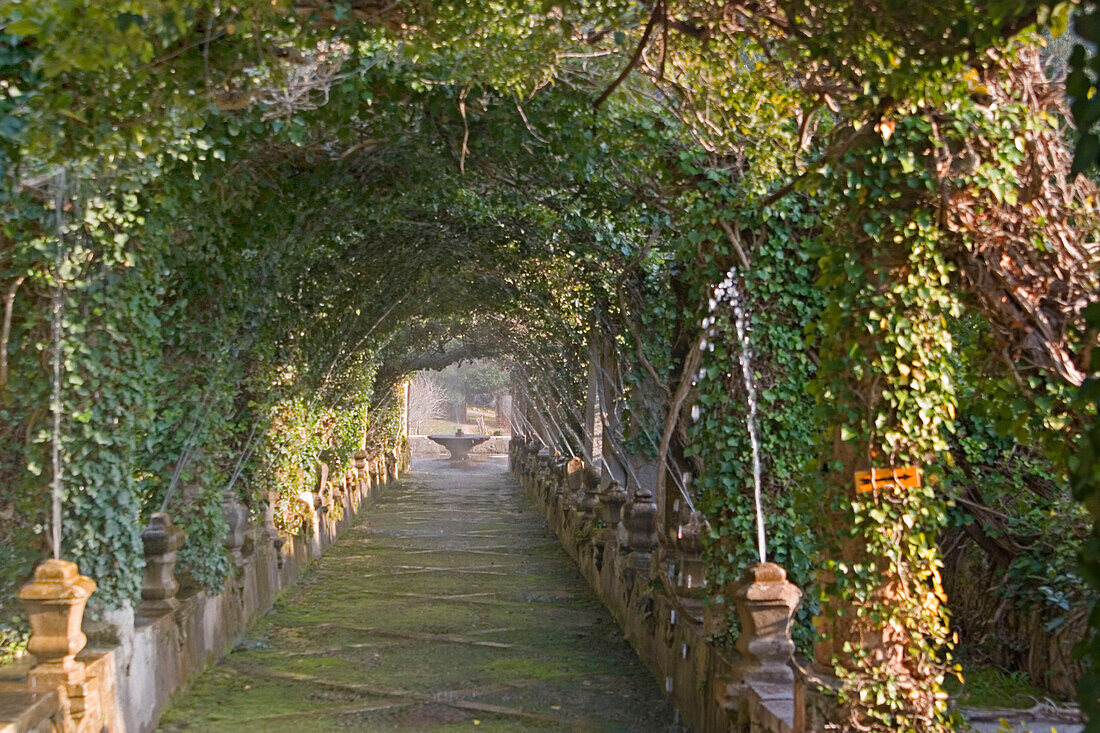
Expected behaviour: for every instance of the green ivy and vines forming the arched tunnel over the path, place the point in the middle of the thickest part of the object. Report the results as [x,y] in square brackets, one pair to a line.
[260,220]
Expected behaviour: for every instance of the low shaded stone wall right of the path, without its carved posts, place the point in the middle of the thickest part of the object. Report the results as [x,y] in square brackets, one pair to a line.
[664,623]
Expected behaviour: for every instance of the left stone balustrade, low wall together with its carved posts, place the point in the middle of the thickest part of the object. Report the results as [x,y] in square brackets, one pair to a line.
[124,685]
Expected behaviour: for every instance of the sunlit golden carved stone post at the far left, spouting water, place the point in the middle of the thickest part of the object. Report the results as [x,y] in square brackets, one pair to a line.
[54,601]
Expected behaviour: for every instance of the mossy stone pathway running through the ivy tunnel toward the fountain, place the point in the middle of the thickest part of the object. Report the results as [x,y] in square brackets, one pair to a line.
[450,606]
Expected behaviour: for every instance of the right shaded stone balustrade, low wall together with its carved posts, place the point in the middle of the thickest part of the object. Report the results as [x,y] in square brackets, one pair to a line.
[613,537]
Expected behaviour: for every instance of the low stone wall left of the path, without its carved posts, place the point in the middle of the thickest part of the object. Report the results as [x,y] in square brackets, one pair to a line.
[136,664]
